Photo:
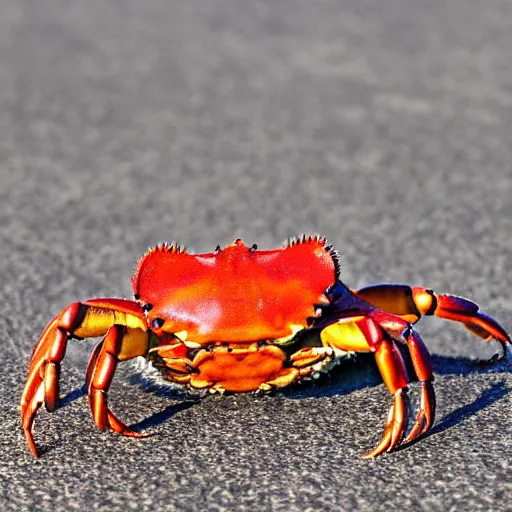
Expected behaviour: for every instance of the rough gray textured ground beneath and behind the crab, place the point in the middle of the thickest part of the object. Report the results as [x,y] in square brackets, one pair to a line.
[386,126]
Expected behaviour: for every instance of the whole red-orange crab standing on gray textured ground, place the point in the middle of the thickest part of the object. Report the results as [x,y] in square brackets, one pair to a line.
[240,319]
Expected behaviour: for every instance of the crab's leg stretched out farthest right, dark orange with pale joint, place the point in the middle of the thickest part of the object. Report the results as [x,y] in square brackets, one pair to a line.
[411,303]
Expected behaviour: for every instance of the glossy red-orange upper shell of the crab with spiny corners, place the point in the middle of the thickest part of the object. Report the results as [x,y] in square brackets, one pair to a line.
[237,293]
